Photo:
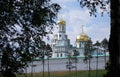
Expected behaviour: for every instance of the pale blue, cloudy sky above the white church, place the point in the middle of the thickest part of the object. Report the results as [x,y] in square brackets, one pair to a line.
[97,28]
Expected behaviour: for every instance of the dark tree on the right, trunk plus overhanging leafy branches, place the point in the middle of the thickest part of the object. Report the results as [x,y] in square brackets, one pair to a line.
[114,40]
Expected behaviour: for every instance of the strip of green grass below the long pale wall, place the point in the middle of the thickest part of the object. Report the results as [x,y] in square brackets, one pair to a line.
[67,74]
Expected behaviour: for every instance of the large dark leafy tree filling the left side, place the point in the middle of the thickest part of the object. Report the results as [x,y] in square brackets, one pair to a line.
[23,24]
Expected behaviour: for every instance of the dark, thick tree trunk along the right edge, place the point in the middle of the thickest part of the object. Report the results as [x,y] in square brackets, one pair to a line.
[114,41]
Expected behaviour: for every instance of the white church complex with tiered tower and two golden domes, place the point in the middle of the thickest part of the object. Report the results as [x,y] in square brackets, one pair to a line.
[61,44]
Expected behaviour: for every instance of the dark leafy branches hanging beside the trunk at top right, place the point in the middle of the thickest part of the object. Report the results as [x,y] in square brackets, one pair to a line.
[93,5]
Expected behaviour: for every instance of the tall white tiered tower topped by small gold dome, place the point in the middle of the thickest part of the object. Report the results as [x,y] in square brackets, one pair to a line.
[61,43]
